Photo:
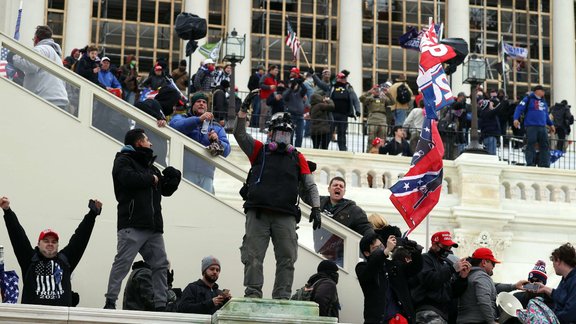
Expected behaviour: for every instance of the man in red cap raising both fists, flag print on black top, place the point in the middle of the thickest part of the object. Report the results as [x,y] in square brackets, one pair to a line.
[46,270]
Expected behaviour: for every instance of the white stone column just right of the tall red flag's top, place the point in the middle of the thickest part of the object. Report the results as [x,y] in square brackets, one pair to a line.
[458,25]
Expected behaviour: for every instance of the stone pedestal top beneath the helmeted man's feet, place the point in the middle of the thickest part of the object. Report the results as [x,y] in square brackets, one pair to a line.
[253,310]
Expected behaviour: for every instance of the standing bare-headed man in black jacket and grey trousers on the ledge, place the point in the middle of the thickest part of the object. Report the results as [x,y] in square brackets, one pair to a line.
[139,187]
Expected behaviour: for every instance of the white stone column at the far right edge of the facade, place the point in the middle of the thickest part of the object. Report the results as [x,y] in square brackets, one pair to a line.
[563,56]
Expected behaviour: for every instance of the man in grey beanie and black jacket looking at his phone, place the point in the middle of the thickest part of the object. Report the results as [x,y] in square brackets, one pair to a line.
[203,295]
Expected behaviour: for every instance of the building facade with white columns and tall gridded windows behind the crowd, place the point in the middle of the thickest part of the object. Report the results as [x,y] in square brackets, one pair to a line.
[358,35]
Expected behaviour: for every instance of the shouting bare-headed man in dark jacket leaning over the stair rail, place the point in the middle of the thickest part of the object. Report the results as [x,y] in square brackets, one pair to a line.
[344,211]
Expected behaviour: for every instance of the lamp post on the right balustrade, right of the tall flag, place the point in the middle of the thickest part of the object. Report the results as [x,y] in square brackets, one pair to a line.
[474,73]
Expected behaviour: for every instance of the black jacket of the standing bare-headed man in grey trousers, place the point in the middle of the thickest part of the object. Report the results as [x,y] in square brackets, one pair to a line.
[138,199]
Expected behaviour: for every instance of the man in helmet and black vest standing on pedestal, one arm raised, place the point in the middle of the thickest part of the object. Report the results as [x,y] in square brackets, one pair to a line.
[271,202]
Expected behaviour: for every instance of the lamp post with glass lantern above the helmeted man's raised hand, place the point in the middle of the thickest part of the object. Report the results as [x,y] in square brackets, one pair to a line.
[234,52]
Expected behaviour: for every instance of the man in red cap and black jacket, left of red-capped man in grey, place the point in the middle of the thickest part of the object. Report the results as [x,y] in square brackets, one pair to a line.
[434,297]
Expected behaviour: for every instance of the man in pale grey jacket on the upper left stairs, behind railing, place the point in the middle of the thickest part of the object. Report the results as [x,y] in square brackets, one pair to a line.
[38,80]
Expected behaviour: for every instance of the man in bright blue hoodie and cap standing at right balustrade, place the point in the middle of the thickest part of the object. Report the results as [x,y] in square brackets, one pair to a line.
[534,109]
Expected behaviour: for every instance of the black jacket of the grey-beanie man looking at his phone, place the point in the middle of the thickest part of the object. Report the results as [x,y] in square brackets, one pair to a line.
[197,298]
